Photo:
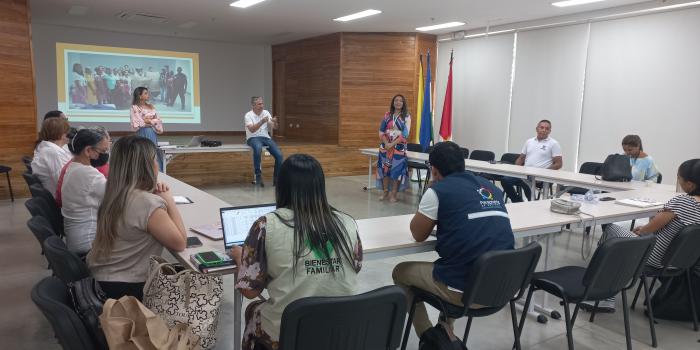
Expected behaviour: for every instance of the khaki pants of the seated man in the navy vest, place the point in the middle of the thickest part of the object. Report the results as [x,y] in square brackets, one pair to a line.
[420,274]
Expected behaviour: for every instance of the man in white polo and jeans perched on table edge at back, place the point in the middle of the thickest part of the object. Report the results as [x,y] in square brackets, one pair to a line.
[257,123]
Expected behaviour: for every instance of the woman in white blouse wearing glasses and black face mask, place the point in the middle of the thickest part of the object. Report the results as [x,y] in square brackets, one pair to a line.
[82,188]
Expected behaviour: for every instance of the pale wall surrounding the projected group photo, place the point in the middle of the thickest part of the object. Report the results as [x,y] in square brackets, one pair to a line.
[228,73]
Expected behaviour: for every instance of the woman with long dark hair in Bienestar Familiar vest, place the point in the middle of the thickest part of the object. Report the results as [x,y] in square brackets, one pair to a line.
[304,248]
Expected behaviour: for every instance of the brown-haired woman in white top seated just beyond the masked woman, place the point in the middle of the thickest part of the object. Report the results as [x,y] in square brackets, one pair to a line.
[49,153]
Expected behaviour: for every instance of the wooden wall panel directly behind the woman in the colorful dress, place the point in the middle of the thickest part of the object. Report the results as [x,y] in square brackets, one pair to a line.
[374,68]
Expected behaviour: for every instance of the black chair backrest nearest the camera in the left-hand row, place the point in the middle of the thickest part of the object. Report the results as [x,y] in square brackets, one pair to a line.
[51,297]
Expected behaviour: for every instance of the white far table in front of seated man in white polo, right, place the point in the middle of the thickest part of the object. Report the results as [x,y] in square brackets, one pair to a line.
[531,174]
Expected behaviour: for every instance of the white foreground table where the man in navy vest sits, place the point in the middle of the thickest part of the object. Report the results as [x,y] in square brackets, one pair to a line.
[390,236]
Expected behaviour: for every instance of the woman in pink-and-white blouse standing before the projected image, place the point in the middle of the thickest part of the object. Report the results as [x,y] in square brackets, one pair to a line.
[145,119]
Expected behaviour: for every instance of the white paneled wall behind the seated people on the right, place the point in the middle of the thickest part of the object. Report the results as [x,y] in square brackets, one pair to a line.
[637,75]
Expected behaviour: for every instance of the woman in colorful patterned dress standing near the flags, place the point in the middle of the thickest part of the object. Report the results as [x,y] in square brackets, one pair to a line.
[392,169]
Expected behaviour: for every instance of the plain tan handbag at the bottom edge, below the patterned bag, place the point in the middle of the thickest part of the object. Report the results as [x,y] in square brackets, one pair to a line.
[129,325]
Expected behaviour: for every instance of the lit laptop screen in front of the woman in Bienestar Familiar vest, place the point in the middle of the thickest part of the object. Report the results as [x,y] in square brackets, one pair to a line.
[236,222]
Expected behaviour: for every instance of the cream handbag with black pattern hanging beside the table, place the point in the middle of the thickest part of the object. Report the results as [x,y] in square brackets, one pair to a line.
[186,296]
